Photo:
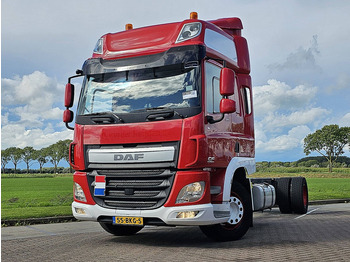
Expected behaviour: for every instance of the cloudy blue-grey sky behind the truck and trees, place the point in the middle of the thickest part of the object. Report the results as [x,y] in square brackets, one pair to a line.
[299,52]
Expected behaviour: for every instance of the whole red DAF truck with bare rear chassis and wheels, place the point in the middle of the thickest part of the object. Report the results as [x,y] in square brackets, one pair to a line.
[164,133]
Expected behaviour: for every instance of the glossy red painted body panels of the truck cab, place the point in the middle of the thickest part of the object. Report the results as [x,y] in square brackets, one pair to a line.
[198,139]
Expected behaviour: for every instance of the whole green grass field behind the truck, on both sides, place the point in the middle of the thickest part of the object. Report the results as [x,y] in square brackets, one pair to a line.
[51,195]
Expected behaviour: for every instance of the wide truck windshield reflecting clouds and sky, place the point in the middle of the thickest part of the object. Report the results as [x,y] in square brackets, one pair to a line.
[138,90]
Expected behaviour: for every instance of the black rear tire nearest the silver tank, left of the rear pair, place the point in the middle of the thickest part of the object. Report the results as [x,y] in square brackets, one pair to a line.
[283,195]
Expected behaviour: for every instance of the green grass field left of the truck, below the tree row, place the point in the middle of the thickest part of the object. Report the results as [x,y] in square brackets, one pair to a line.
[30,197]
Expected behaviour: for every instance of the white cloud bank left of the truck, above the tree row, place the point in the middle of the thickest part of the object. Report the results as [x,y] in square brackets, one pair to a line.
[28,107]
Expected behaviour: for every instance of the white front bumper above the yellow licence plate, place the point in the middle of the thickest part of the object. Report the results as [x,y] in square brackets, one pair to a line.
[166,214]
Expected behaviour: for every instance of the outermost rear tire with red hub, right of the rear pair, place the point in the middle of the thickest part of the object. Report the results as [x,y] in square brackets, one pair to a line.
[299,195]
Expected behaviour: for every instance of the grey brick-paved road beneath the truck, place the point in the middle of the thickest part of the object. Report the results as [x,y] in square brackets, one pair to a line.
[321,235]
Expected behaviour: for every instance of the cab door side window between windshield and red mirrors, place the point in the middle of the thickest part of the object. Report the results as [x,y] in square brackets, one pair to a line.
[212,82]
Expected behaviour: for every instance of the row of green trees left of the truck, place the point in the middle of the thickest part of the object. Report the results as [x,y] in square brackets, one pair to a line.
[53,154]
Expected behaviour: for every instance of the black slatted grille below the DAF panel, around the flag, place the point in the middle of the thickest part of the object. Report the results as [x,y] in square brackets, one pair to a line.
[133,189]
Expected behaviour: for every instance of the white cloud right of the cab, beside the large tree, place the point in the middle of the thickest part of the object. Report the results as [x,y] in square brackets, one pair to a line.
[284,115]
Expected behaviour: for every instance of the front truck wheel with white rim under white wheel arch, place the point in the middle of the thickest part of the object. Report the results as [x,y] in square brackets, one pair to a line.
[239,222]
